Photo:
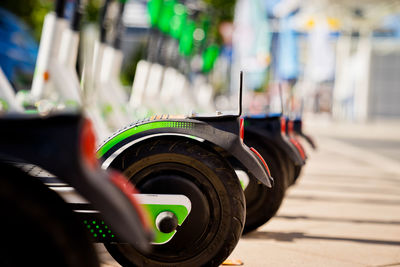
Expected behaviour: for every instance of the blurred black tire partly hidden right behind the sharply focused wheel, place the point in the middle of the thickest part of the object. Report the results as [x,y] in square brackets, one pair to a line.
[262,202]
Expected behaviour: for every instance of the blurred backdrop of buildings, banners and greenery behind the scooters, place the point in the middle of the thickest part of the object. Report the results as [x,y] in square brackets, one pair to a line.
[336,58]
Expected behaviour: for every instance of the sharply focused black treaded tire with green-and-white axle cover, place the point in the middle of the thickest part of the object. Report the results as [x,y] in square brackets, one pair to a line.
[217,181]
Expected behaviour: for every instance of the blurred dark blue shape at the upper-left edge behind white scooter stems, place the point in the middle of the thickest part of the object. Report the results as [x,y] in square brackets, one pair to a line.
[18,49]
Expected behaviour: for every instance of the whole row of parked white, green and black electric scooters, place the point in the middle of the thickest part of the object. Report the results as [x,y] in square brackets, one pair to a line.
[163,191]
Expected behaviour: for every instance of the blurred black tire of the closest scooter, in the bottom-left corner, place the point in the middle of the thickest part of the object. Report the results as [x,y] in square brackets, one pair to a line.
[38,228]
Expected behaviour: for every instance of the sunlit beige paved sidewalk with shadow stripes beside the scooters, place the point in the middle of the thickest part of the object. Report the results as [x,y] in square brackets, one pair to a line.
[344,211]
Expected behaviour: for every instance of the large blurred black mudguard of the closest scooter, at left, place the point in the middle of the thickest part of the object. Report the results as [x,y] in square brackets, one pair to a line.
[54,144]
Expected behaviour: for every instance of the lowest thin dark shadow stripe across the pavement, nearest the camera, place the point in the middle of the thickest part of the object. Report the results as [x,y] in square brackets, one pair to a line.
[292,236]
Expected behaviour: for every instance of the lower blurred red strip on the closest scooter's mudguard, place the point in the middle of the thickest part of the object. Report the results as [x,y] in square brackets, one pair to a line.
[129,190]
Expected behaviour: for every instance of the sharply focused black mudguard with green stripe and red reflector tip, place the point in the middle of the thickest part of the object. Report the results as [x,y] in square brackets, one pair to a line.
[221,131]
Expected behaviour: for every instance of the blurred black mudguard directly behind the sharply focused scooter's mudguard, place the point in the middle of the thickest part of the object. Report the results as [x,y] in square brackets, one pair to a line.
[268,130]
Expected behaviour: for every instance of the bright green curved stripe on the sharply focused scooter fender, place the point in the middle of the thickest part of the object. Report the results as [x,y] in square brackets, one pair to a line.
[141,128]
